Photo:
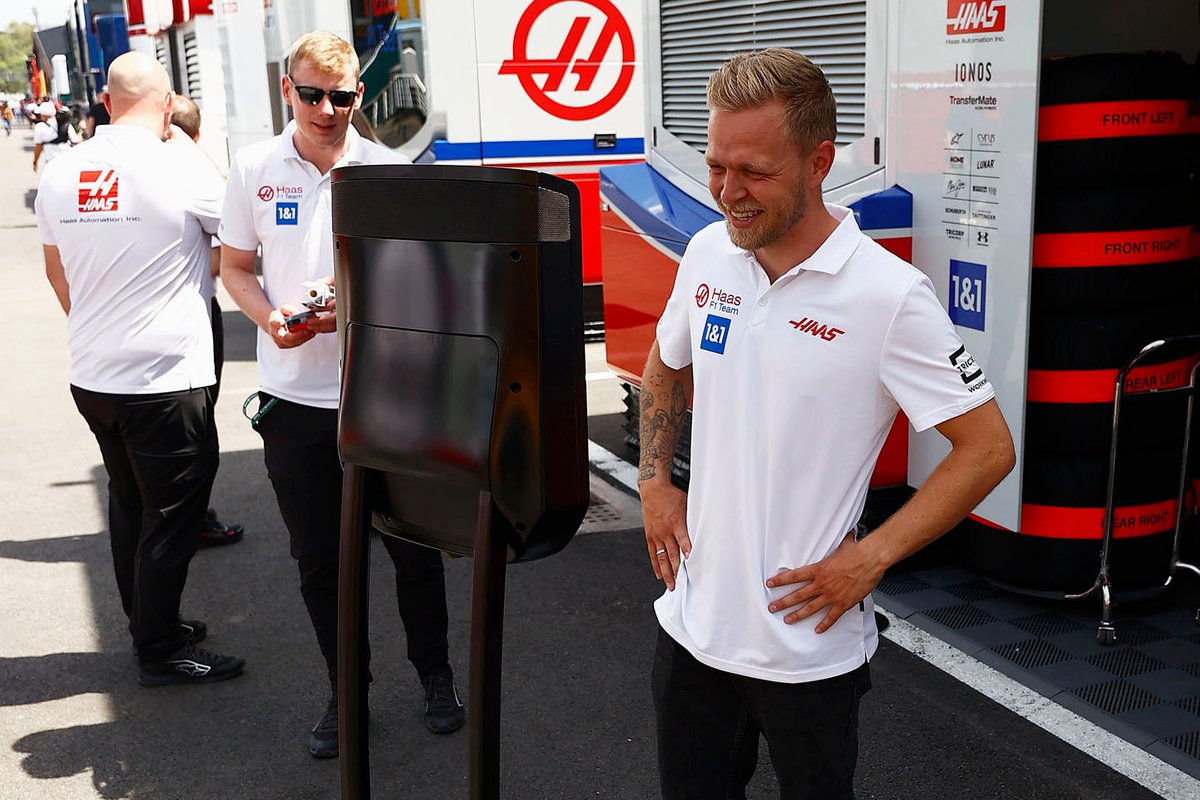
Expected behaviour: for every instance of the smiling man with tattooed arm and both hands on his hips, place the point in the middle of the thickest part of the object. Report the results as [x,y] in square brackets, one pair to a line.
[797,339]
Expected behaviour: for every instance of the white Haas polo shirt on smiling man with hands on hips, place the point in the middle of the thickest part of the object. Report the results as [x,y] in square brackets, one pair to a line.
[796,388]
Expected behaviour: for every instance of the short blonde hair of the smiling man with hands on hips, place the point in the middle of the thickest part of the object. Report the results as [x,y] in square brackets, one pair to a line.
[753,80]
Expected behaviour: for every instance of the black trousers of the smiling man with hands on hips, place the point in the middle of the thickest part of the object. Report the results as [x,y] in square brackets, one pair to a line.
[710,721]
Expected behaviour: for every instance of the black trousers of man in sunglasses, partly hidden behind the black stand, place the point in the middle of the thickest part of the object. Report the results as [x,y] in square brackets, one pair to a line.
[301,450]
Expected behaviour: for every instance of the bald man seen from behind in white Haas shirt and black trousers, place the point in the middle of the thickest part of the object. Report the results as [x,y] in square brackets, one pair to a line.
[125,224]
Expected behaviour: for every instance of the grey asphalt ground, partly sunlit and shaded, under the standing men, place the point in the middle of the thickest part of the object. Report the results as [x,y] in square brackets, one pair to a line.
[579,634]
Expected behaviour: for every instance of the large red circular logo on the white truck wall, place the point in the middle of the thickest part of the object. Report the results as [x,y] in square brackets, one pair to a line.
[573,58]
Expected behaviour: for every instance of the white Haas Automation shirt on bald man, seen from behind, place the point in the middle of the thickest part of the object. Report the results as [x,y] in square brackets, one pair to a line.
[131,219]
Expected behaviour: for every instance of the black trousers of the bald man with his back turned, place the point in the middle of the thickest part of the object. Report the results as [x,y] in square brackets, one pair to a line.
[161,455]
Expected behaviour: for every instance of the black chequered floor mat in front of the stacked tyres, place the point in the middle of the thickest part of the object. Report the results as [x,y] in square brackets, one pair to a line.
[1145,689]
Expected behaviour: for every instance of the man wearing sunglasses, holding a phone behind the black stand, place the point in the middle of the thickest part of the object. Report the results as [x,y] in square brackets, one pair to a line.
[279,197]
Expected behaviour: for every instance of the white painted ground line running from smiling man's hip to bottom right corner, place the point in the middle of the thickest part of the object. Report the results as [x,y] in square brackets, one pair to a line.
[1126,759]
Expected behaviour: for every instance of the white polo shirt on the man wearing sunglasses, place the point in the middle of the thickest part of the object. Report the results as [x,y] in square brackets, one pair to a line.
[278,200]
